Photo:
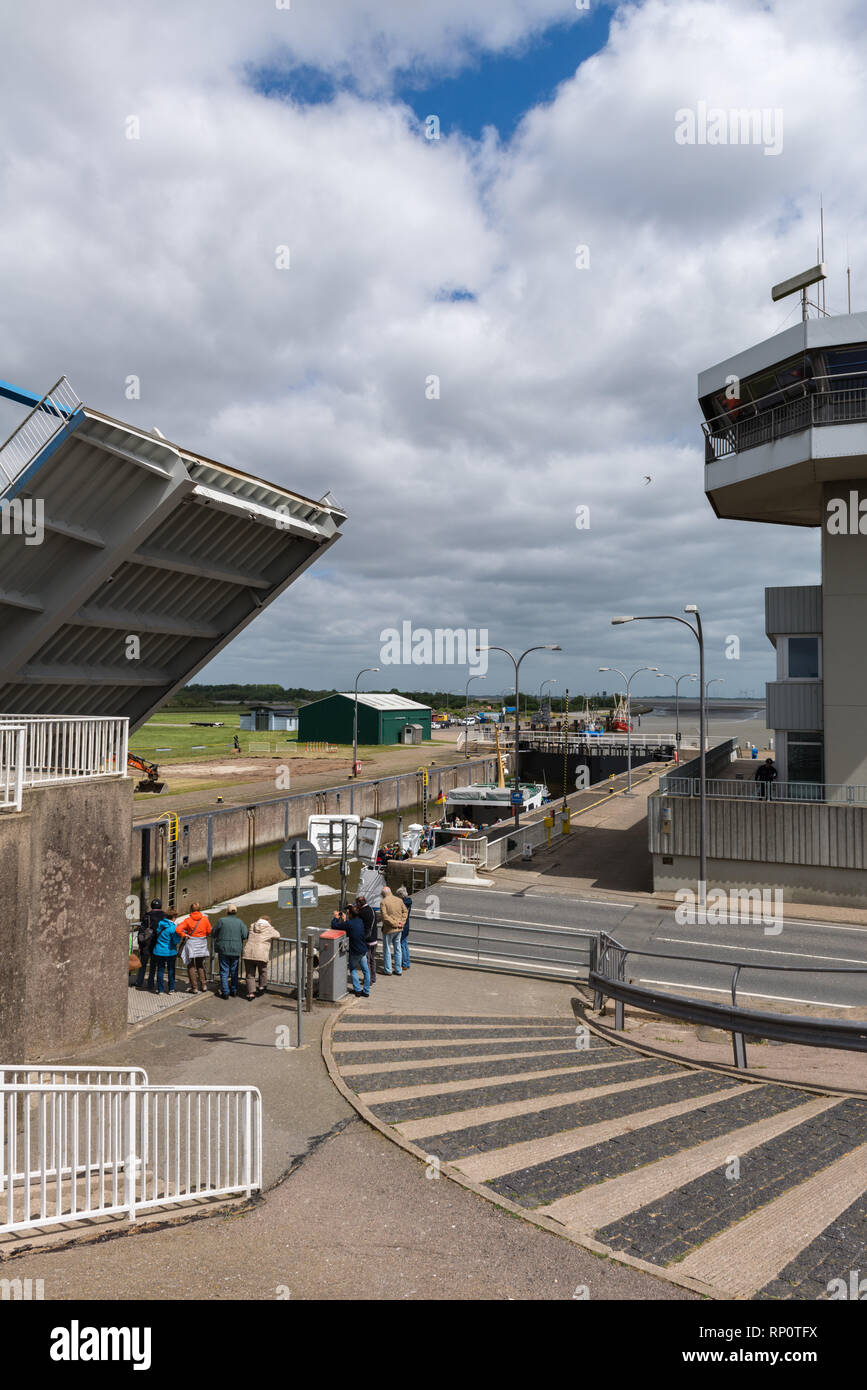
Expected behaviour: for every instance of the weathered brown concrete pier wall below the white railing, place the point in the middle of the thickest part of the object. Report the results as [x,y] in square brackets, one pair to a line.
[65,876]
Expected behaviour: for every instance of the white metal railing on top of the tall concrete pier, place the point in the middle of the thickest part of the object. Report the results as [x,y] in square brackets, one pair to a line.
[45,749]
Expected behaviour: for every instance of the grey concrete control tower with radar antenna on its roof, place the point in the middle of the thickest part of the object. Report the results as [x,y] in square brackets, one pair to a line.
[786,430]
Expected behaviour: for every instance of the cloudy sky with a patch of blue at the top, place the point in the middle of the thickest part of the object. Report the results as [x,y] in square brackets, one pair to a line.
[438,354]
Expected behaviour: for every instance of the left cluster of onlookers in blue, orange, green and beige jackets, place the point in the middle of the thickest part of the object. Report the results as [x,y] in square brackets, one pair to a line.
[165,940]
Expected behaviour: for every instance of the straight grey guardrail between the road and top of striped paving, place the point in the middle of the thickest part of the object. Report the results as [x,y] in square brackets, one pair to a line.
[505,949]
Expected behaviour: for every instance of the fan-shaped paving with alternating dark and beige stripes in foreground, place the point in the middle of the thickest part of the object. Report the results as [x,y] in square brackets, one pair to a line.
[755,1191]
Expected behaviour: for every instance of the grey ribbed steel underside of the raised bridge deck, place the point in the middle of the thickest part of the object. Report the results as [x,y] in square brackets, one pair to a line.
[142,539]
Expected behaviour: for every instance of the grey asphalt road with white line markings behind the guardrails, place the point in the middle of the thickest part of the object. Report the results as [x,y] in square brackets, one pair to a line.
[808,947]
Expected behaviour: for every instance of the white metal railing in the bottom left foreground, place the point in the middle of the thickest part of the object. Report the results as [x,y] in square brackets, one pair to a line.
[77,1149]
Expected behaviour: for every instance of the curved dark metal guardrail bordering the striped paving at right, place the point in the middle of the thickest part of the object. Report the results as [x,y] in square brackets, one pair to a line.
[609,981]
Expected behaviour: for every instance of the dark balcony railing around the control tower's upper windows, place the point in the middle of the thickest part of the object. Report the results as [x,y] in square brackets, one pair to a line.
[820,401]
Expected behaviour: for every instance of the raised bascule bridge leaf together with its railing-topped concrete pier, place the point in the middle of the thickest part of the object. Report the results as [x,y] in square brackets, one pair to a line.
[127,564]
